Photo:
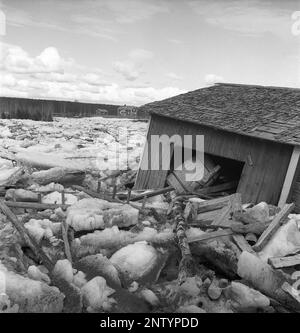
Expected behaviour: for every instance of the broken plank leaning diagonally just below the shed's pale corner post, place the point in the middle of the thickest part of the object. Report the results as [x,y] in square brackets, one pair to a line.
[278,220]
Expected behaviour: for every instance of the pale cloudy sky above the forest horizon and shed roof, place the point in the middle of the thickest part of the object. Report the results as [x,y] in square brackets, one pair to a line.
[135,51]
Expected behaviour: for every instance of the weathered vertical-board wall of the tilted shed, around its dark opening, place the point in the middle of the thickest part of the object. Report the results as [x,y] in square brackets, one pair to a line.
[265,165]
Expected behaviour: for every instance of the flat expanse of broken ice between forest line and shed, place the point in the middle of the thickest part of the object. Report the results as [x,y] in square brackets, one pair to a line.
[93,144]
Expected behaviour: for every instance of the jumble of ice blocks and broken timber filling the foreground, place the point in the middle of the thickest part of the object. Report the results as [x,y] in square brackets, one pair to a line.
[80,241]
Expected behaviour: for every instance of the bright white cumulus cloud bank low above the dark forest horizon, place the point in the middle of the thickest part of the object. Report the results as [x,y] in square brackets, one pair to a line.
[49,76]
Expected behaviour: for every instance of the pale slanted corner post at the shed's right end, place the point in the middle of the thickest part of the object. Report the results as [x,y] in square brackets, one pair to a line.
[289,178]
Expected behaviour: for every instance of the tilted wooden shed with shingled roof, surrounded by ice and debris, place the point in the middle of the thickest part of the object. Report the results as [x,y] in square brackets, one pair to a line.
[254,131]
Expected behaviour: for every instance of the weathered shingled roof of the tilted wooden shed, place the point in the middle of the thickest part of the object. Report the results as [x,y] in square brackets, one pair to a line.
[271,113]
